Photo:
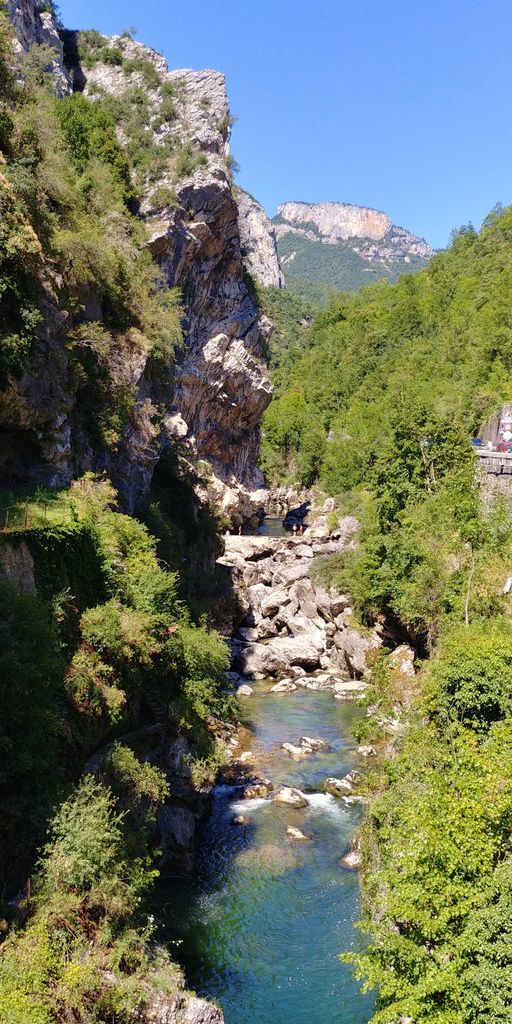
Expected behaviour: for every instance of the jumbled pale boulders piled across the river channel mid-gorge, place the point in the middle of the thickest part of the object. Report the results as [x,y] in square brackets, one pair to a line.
[294,622]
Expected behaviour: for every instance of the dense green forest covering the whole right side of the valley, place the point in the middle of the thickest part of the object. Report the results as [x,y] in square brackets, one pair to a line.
[377,402]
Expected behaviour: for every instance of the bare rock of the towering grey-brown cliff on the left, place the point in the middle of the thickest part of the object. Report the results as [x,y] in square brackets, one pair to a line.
[220,388]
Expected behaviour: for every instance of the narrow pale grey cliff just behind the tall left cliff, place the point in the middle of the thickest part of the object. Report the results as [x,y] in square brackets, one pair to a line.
[259,242]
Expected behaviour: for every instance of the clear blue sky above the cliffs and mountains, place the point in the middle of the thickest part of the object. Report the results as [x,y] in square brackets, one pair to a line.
[400,105]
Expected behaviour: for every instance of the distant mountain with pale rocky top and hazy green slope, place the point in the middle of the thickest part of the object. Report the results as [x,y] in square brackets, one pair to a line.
[364,245]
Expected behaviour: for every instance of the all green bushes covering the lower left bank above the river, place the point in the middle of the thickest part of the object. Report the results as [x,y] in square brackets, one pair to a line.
[104,628]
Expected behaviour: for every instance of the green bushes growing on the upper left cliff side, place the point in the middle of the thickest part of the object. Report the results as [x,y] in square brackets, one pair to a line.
[70,239]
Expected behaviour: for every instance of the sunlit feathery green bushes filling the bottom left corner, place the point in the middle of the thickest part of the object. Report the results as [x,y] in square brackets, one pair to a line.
[83,956]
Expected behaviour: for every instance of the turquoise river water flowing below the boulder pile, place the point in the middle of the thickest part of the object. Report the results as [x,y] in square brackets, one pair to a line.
[261,926]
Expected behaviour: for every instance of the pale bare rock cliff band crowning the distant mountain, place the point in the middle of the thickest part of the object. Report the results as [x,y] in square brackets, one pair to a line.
[333,223]
